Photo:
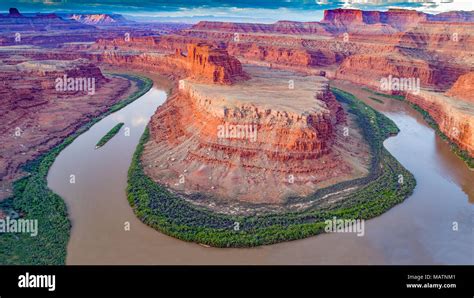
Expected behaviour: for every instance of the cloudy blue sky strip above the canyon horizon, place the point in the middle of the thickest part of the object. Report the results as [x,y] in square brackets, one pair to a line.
[191,11]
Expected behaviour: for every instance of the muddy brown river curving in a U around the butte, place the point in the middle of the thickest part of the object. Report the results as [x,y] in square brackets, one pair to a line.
[421,230]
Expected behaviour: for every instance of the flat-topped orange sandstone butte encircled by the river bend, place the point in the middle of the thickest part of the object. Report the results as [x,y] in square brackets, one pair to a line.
[297,148]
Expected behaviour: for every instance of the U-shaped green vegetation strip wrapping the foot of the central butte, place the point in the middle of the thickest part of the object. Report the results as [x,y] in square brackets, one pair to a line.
[388,184]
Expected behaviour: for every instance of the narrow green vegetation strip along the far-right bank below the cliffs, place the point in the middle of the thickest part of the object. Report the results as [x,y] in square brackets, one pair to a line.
[462,154]
